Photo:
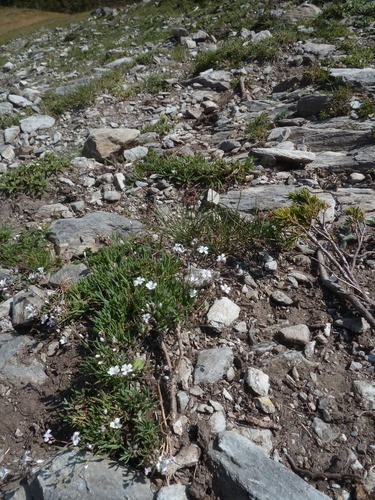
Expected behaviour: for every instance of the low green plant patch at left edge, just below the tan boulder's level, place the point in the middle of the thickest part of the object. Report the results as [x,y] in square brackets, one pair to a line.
[32,178]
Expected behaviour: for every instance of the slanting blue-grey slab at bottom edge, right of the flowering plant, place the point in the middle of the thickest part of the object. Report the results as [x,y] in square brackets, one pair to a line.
[242,471]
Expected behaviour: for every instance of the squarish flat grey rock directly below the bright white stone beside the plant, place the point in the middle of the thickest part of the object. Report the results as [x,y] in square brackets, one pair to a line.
[212,365]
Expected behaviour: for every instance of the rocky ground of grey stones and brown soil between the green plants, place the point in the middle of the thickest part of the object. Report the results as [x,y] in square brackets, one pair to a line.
[273,358]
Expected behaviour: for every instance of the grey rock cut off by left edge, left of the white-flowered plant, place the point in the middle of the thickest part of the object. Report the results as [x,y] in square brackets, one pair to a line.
[14,368]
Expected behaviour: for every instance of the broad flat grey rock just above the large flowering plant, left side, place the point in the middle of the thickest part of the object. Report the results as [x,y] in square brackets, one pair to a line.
[75,235]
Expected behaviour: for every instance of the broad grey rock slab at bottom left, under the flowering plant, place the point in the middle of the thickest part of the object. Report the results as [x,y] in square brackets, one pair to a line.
[76,475]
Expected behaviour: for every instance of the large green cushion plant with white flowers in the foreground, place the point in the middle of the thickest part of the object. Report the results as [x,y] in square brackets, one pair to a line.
[133,296]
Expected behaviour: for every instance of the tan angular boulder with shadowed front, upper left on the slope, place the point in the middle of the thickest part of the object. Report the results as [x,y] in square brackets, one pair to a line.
[103,142]
